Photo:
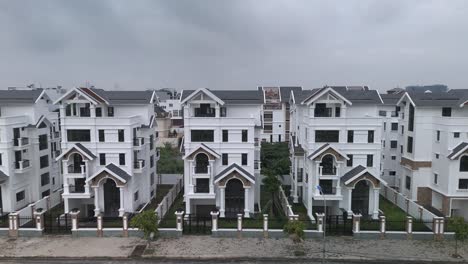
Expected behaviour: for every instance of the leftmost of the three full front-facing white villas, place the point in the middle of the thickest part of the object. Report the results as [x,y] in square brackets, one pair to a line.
[108,150]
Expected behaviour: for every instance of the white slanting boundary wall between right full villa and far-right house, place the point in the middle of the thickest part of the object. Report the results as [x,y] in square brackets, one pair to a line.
[419,213]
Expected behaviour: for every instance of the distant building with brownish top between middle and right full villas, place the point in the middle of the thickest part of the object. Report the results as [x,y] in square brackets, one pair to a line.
[276,116]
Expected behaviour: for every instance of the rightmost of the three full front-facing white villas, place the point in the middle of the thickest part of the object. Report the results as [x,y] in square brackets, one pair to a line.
[336,144]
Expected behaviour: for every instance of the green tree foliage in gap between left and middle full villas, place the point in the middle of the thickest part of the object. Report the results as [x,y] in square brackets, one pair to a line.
[170,160]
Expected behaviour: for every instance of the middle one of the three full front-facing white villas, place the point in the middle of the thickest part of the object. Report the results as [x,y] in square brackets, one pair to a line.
[221,168]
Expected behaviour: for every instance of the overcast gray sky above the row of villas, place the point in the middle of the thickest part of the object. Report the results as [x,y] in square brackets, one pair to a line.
[233,44]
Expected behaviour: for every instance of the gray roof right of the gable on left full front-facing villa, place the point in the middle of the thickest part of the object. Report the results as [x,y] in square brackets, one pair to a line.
[124,97]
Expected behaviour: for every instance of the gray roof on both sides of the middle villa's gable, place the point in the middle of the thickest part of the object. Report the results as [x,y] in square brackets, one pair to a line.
[233,96]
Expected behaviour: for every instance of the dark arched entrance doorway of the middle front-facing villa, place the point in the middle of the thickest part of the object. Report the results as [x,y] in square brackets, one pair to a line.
[234,198]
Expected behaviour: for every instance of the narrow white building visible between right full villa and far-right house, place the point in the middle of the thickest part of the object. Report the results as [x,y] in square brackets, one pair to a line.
[390,134]
